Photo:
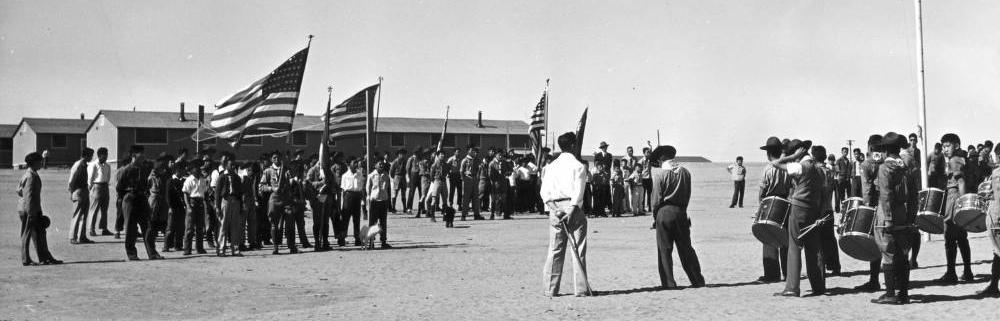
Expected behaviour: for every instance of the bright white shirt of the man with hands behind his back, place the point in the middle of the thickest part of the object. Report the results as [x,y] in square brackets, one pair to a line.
[565,177]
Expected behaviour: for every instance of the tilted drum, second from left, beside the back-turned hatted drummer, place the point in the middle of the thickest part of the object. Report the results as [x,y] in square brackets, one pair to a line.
[858,237]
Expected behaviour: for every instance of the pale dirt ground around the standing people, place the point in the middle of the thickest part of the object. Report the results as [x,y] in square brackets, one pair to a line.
[483,270]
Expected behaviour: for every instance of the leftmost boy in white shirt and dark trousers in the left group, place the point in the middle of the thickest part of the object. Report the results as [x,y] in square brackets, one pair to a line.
[195,188]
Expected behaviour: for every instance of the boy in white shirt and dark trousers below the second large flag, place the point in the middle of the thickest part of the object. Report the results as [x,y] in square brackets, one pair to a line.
[353,184]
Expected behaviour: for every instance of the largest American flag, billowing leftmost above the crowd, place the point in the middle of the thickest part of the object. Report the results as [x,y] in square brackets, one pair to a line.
[266,107]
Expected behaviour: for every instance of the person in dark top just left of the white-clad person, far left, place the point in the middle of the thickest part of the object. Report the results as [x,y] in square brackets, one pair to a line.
[80,196]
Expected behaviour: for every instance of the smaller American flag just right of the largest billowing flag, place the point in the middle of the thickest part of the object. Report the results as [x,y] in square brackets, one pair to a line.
[351,117]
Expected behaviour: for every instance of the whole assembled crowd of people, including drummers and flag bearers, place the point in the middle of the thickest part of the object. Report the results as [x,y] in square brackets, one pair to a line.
[246,207]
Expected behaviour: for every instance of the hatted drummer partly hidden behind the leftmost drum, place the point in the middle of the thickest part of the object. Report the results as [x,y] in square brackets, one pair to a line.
[774,183]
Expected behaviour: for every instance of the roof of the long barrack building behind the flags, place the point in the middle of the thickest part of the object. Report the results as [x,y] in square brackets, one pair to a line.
[168,120]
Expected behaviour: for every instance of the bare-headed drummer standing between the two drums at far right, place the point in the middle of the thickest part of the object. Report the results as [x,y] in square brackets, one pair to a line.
[955,238]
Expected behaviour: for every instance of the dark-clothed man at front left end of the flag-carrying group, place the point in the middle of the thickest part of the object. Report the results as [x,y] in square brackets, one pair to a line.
[133,185]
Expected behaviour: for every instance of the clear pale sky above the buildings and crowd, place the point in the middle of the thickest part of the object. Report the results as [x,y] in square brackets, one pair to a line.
[715,77]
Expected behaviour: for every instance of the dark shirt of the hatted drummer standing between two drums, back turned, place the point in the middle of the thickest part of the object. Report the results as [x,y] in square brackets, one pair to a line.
[892,192]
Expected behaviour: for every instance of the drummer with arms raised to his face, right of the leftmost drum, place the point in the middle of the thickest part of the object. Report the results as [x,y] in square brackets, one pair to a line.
[806,197]
